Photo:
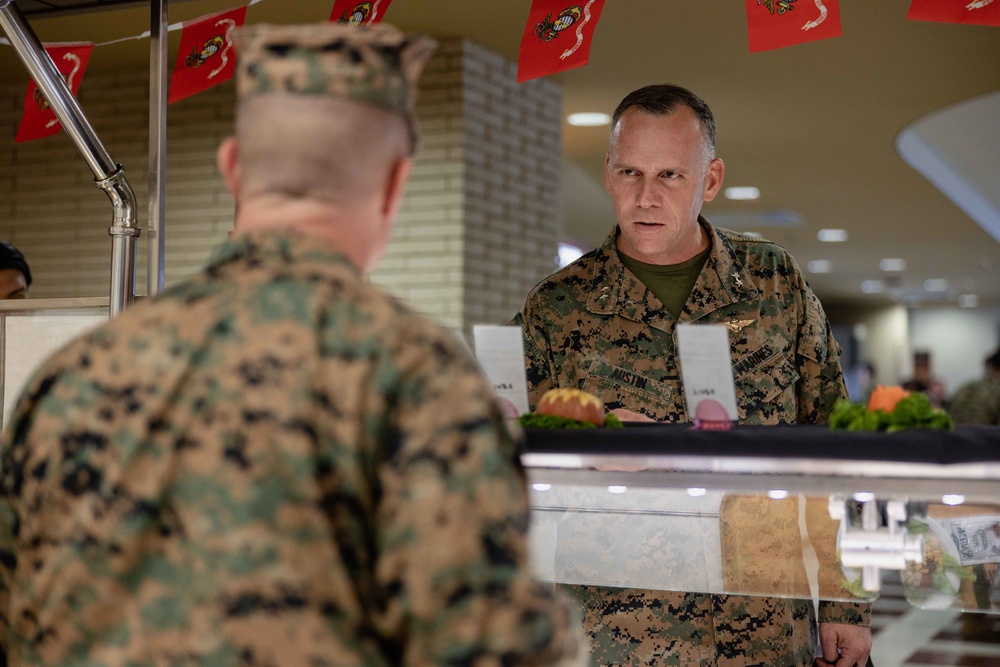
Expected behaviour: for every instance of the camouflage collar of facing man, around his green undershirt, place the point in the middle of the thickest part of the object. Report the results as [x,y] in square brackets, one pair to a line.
[615,290]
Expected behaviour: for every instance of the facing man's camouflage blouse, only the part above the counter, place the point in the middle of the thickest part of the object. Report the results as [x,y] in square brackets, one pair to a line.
[594,326]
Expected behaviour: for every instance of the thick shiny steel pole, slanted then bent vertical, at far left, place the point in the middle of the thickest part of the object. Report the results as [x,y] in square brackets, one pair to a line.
[109,175]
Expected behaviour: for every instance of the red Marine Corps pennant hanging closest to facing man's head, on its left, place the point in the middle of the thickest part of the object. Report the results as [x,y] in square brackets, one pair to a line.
[557,37]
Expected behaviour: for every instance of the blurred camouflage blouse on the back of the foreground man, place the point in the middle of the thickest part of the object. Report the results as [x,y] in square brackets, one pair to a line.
[273,463]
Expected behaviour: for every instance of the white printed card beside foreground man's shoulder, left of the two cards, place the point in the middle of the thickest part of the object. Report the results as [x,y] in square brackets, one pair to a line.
[500,351]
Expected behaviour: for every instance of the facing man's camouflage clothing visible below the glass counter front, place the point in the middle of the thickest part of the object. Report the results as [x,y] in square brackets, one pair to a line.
[632,627]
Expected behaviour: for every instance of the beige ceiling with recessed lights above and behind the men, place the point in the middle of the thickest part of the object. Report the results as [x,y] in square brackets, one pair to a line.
[813,126]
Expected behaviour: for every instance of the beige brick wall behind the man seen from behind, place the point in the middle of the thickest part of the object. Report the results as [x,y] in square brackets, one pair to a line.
[478,228]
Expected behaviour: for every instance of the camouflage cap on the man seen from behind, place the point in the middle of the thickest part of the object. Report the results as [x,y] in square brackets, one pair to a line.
[377,64]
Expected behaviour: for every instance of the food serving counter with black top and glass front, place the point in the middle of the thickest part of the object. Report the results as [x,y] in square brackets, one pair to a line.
[786,511]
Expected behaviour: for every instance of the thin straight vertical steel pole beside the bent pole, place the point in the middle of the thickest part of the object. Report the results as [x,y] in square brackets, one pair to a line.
[155,226]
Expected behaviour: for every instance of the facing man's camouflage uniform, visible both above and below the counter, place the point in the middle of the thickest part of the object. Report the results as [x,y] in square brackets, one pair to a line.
[594,326]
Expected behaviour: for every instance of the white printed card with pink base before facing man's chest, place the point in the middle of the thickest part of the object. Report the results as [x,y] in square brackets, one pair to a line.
[707,372]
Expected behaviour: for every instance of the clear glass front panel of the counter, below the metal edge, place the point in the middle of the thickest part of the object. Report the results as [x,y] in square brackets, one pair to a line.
[605,531]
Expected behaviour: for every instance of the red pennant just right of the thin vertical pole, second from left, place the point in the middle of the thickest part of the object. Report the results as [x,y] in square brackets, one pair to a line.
[205,57]
